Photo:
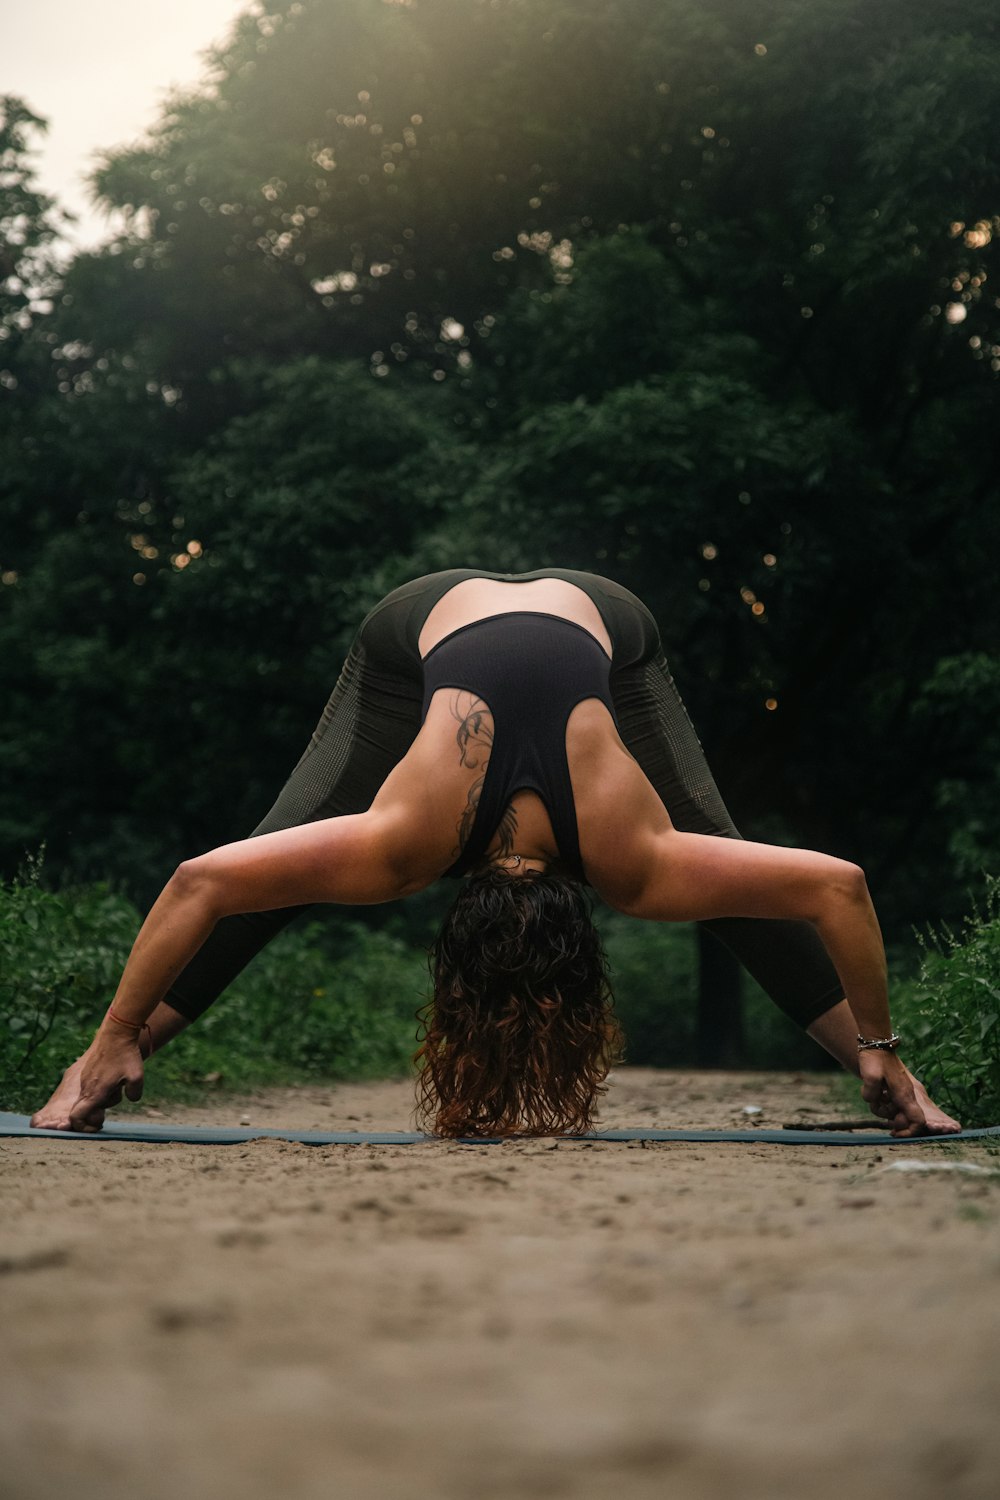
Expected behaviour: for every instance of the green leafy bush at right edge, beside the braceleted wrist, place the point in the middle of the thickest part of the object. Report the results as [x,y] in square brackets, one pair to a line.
[951,1015]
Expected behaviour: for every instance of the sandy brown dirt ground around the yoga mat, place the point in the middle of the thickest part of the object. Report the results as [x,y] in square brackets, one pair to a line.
[539,1319]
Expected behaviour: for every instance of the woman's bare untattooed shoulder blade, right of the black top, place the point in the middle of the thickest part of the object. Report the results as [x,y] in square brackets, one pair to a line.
[620,817]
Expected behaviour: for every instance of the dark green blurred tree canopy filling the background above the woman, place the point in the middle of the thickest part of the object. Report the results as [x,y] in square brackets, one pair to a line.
[683,292]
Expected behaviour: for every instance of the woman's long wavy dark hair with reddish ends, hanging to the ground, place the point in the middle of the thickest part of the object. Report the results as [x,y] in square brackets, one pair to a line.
[521,1031]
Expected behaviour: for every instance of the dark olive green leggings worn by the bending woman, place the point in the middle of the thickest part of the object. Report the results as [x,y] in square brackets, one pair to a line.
[374,716]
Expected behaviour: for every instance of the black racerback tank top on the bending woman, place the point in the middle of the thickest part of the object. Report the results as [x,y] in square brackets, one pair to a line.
[531,671]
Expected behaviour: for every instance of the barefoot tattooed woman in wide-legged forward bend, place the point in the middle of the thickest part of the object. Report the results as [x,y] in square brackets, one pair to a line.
[522,730]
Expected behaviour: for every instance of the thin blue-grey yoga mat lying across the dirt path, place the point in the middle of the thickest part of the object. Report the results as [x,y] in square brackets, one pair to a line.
[217,1136]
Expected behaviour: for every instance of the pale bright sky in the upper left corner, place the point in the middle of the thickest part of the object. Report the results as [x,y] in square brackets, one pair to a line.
[98,71]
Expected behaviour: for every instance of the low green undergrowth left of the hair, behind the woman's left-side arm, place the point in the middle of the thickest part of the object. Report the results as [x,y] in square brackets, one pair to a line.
[316,1004]
